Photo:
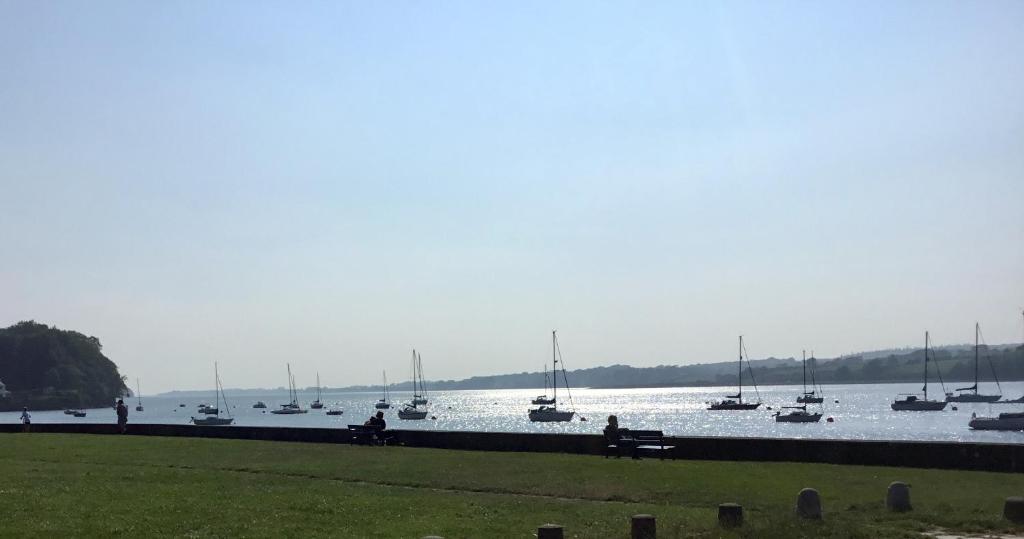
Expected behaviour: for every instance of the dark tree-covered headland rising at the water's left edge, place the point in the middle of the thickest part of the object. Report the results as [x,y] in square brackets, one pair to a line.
[46,368]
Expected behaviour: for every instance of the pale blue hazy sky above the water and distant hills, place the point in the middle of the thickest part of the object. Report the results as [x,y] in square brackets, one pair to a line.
[332,185]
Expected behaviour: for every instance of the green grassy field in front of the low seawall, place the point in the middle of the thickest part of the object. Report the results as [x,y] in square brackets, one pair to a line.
[84,486]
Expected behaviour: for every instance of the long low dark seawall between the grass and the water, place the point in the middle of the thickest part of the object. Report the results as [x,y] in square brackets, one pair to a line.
[952,455]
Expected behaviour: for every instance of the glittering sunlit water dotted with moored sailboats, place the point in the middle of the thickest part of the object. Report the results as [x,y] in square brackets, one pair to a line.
[863,413]
